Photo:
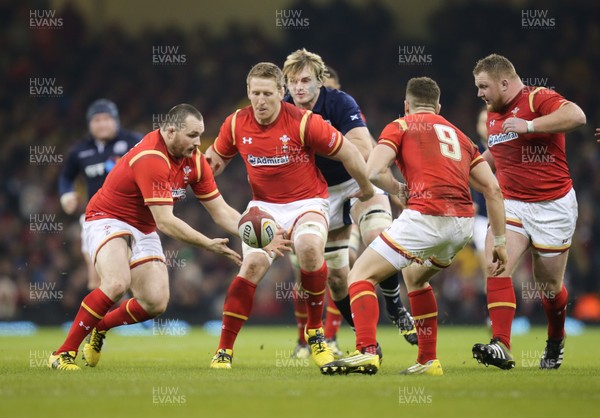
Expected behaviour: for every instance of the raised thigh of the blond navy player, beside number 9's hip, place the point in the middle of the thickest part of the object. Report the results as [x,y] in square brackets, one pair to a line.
[372,216]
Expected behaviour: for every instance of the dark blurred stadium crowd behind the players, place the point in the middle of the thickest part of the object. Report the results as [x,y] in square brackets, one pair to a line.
[361,40]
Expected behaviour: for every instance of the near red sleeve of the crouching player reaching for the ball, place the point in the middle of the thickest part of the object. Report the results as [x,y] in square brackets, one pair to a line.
[151,170]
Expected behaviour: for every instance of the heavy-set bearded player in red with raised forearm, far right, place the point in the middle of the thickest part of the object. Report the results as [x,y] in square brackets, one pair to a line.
[526,128]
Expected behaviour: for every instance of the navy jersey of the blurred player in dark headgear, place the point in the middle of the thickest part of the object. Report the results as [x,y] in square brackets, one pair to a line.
[94,160]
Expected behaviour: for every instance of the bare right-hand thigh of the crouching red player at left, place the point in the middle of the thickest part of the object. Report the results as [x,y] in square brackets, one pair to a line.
[150,282]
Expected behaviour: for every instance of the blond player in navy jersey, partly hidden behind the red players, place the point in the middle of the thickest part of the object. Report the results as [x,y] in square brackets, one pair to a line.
[305,73]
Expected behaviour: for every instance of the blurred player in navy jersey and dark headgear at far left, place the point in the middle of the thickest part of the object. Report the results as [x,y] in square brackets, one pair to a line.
[92,158]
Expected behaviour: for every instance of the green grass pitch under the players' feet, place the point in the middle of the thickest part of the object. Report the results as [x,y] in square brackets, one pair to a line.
[148,376]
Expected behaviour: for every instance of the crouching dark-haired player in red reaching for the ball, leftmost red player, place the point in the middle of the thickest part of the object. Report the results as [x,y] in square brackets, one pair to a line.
[121,221]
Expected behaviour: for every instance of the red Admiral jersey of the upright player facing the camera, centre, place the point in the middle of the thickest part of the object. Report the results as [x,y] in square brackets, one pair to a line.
[280,157]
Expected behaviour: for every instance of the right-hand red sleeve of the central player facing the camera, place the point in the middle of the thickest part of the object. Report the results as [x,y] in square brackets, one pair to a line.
[319,135]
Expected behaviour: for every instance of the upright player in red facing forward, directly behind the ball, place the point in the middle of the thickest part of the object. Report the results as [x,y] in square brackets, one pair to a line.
[278,143]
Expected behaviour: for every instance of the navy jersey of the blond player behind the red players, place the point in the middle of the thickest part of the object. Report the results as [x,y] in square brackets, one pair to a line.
[341,111]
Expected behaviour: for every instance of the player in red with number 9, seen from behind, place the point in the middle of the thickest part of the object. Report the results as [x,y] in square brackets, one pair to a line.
[439,163]
